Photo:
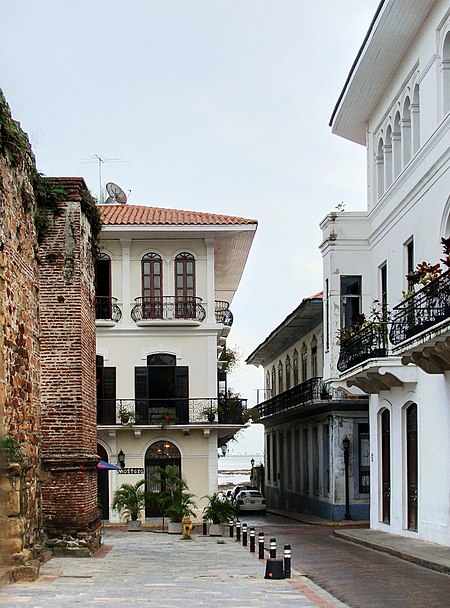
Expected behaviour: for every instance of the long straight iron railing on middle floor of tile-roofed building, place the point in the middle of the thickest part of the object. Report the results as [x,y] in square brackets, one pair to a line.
[175,411]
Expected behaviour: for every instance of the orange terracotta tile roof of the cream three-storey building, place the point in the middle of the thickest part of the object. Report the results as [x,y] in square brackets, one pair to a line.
[141,215]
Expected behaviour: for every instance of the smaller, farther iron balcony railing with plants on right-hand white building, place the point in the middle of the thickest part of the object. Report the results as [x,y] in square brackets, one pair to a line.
[368,343]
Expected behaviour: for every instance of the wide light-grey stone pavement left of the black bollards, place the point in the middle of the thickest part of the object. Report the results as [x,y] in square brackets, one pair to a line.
[161,570]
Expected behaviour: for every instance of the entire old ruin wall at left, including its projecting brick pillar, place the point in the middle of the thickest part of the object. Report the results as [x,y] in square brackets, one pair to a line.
[48,482]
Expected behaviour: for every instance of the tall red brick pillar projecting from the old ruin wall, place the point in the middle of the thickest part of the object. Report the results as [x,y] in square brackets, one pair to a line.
[68,398]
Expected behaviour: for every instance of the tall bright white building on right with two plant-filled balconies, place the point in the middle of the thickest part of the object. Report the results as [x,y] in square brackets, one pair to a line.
[396,102]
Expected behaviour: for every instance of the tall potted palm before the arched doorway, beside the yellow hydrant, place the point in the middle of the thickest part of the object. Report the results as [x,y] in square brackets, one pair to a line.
[175,500]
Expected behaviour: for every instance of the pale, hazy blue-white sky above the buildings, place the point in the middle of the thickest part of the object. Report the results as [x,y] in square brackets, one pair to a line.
[219,106]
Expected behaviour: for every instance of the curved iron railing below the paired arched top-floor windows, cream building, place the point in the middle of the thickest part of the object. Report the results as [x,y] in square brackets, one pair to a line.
[168,308]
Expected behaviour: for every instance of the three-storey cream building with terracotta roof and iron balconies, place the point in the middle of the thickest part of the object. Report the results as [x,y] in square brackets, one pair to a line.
[165,279]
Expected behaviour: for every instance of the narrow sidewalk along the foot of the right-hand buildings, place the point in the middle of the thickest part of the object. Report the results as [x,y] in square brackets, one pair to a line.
[429,555]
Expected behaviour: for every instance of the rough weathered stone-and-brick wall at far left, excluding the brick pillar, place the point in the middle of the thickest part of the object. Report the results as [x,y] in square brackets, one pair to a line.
[20,505]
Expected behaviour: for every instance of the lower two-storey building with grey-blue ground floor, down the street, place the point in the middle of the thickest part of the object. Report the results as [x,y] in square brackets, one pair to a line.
[316,438]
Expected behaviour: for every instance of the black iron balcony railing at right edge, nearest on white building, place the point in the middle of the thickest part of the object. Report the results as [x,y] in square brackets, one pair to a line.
[426,308]
